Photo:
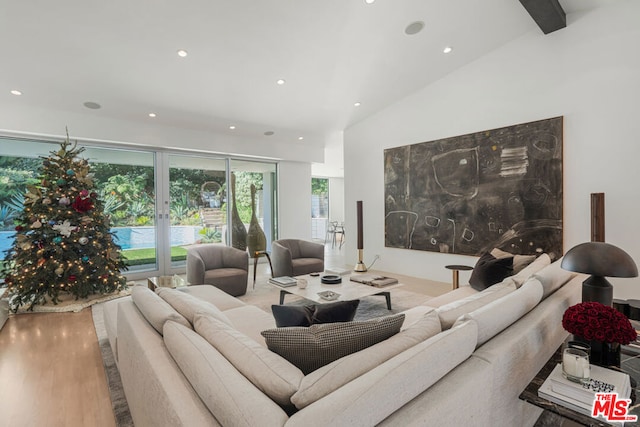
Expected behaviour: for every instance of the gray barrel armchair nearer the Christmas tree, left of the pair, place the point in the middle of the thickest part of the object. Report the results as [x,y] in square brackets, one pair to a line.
[224,267]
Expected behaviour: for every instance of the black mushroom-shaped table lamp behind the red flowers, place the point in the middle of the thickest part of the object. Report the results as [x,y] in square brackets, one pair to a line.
[599,259]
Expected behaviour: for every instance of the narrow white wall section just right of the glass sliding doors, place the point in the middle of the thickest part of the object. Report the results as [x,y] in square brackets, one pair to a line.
[294,207]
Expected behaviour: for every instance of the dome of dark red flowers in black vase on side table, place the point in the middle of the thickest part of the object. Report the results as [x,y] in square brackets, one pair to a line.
[595,321]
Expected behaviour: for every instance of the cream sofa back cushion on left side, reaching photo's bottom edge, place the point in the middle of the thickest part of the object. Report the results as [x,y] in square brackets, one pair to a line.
[230,397]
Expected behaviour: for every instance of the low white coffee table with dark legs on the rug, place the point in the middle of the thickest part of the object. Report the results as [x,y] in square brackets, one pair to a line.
[348,290]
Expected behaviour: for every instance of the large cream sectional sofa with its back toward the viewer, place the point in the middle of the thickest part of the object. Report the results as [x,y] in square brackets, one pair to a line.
[463,359]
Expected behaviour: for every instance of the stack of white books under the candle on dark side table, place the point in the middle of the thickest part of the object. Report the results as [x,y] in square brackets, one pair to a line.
[580,397]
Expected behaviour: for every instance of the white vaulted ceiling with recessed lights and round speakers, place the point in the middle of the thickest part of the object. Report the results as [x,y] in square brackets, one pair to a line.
[122,54]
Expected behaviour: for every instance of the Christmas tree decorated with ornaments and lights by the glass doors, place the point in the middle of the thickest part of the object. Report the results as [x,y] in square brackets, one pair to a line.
[63,242]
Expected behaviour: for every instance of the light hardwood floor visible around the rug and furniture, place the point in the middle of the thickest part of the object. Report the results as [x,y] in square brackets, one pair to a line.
[51,371]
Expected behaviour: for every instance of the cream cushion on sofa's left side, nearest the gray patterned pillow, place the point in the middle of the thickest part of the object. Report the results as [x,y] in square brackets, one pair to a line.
[268,371]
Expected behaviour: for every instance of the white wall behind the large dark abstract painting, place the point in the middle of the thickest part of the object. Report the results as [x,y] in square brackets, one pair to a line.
[588,72]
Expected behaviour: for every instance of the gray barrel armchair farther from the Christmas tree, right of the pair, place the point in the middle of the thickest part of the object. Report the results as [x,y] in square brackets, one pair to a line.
[292,257]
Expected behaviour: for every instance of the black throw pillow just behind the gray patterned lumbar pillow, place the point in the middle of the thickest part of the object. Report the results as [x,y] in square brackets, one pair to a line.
[311,314]
